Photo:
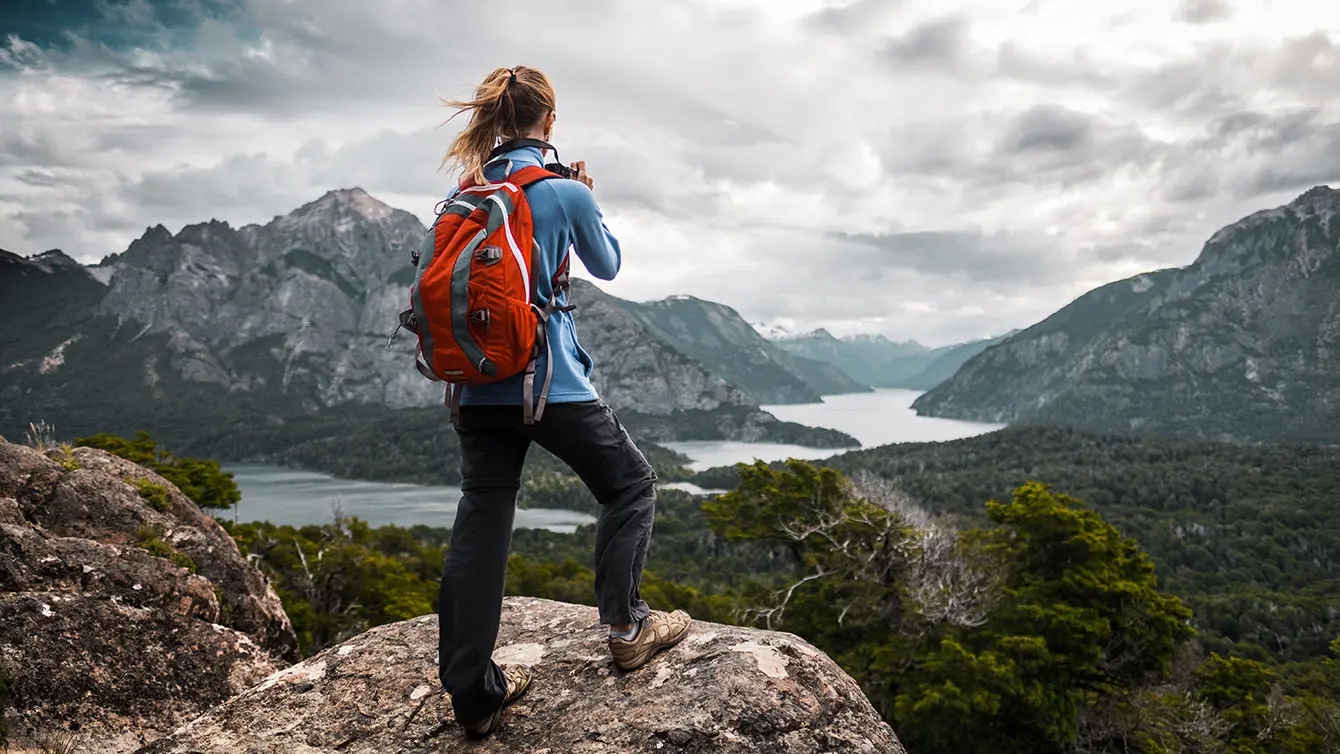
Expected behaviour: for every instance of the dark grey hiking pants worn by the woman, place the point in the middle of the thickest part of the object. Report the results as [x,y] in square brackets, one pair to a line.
[589,439]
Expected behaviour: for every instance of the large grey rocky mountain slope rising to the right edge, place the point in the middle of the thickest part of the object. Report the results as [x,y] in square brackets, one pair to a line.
[1243,345]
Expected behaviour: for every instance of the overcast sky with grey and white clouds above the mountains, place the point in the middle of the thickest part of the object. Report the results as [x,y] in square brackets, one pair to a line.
[927,169]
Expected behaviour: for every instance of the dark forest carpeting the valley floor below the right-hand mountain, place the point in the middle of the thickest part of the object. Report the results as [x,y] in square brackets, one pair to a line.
[1248,536]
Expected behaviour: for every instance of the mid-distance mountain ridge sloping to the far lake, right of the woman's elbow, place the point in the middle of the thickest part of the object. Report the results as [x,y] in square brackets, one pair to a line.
[715,334]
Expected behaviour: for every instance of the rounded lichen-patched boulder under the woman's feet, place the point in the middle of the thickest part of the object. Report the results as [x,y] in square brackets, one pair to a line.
[723,690]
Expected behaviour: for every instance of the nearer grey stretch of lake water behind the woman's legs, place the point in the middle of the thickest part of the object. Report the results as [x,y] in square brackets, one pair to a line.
[289,496]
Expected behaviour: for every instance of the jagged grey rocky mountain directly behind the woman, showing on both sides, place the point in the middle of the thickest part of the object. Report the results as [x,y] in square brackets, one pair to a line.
[265,325]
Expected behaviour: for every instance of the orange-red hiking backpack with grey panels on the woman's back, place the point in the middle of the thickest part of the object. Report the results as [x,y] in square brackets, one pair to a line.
[475,302]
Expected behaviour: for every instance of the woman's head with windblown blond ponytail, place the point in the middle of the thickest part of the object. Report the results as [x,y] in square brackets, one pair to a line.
[511,104]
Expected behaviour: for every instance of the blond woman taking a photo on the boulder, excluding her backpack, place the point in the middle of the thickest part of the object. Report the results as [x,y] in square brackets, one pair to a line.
[578,428]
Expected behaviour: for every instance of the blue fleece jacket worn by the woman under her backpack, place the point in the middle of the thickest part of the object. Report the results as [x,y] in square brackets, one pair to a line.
[566,216]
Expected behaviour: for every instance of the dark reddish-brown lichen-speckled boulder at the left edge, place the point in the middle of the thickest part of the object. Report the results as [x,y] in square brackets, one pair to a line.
[124,609]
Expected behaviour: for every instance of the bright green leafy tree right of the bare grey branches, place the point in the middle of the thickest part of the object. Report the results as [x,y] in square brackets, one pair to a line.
[1081,619]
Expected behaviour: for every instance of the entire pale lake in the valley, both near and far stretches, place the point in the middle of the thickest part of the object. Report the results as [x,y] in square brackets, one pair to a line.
[289,496]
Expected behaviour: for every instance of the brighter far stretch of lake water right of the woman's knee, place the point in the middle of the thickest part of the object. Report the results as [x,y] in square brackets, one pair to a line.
[874,419]
